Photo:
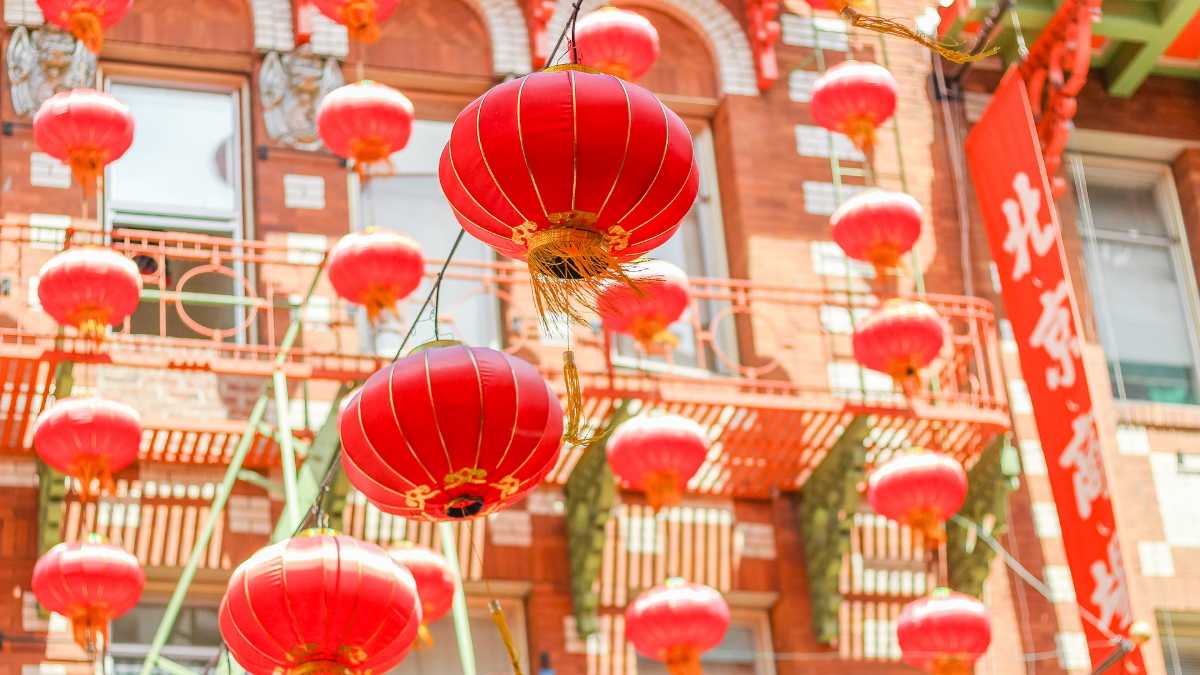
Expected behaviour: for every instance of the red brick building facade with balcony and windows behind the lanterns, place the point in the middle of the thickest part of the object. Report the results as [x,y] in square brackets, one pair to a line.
[227,201]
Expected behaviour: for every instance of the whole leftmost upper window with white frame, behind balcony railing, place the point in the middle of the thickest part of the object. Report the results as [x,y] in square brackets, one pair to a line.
[183,174]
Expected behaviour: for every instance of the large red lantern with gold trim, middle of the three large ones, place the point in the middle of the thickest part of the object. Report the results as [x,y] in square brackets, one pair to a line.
[451,433]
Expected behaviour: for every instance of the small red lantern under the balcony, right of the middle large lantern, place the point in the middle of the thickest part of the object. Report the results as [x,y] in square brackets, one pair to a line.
[658,455]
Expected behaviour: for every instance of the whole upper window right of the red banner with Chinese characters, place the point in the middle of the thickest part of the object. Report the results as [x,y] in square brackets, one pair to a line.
[1141,279]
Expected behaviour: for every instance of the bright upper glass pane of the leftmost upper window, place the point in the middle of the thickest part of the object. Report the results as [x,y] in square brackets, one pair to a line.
[183,157]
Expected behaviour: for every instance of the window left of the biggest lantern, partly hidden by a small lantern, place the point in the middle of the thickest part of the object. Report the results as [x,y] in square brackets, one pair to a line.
[412,202]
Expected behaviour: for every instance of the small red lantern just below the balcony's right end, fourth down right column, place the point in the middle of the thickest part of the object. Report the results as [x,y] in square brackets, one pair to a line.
[921,491]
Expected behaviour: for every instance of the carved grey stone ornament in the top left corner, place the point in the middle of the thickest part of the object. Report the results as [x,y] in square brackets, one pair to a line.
[44,62]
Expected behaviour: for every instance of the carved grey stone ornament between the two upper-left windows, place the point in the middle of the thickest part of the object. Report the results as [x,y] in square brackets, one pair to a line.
[291,86]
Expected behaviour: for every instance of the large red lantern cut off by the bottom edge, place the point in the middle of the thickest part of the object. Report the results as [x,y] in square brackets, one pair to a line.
[320,604]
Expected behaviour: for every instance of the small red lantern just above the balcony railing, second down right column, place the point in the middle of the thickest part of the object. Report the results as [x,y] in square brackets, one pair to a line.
[878,228]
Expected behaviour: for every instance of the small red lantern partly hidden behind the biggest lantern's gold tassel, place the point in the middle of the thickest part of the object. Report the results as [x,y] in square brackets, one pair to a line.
[646,313]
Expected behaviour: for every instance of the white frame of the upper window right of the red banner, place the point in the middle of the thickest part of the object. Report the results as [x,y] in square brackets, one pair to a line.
[1177,242]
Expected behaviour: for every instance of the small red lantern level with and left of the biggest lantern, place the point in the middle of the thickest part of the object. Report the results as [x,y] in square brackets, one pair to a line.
[365,122]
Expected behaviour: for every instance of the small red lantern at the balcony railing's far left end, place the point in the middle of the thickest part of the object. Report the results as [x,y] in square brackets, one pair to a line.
[89,290]
